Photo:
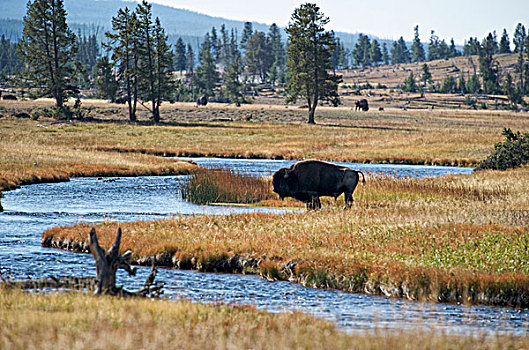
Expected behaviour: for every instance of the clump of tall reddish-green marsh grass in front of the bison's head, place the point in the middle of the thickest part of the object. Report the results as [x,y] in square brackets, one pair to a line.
[226,186]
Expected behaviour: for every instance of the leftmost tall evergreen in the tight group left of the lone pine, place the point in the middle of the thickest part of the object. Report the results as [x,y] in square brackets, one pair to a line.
[124,47]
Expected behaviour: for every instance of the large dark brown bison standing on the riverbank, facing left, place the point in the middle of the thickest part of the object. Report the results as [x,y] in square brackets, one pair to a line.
[307,180]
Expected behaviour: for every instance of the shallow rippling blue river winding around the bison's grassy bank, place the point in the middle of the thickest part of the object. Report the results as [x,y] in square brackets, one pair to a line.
[31,210]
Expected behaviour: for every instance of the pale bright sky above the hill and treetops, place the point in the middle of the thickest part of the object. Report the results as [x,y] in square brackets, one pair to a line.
[458,19]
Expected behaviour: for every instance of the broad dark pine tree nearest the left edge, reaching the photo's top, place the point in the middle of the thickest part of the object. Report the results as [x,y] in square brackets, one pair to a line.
[48,47]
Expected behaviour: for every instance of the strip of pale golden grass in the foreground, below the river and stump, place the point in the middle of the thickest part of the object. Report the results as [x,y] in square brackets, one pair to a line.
[80,321]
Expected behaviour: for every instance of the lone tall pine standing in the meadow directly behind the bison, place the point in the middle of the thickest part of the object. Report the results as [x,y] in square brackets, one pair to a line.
[309,58]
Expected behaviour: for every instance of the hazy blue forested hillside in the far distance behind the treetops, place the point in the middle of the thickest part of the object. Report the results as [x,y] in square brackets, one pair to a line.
[94,16]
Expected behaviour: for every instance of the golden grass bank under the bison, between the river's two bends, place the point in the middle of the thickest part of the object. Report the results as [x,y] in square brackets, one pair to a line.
[456,238]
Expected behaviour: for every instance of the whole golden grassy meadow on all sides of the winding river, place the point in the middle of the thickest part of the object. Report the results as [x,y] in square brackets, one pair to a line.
[457,238]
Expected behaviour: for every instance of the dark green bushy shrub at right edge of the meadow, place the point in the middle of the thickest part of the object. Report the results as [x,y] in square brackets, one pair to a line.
[512,153]
